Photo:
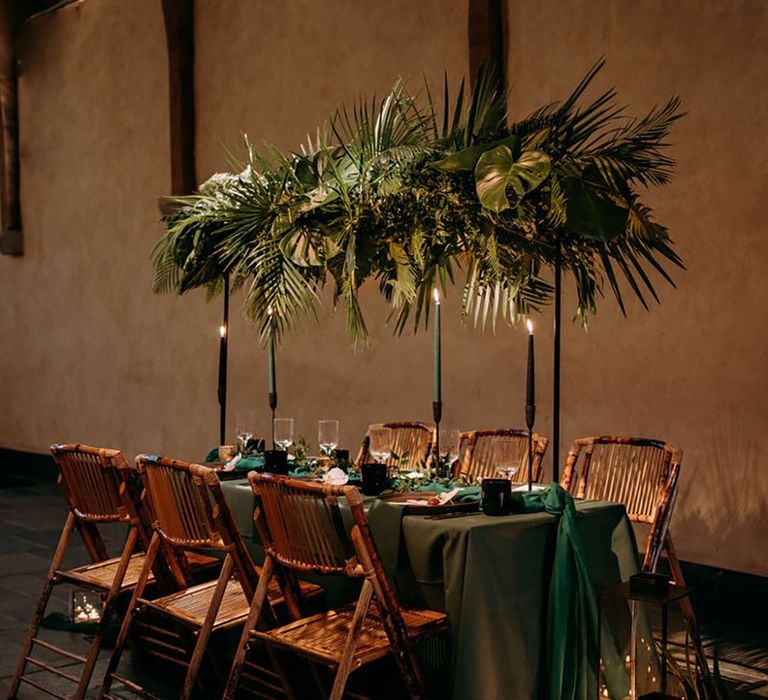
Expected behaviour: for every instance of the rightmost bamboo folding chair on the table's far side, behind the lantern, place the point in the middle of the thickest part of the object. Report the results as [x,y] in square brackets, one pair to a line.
[641,474]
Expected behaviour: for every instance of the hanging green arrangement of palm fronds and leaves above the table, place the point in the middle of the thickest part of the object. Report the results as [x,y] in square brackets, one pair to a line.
[409,194]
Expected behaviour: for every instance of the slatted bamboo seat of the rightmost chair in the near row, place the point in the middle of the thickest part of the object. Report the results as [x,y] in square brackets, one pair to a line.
[322,636]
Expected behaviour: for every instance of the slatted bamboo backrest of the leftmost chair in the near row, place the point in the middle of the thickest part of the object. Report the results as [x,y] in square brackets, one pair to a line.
[90,478]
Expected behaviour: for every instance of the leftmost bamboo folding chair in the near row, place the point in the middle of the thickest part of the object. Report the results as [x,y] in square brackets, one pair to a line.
[91,480]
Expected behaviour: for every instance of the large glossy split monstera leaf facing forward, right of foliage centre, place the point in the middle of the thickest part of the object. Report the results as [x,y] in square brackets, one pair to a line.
[497,169]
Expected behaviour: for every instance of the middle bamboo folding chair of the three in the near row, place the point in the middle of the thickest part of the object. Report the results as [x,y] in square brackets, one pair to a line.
[191,515]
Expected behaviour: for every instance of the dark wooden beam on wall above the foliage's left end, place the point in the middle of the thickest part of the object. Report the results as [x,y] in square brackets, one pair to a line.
[180,39]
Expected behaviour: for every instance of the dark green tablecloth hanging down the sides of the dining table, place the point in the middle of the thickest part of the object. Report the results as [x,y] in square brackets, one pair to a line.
[491,575]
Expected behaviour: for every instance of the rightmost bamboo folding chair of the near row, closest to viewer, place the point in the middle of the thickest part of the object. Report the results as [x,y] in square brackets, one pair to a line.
[302,529]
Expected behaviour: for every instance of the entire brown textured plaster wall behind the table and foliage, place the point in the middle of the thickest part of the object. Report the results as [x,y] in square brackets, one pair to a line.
[89,354]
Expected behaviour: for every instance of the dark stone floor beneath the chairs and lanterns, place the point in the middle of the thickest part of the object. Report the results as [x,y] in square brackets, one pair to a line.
[31,517]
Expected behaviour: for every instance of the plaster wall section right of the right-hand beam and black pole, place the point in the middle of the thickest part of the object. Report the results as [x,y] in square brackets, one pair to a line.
[693,369]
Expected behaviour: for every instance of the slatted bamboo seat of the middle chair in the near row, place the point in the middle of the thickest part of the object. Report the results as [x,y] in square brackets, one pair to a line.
[192,604]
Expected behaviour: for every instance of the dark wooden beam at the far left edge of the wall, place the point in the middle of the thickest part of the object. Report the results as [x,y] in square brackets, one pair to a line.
[11,240]
